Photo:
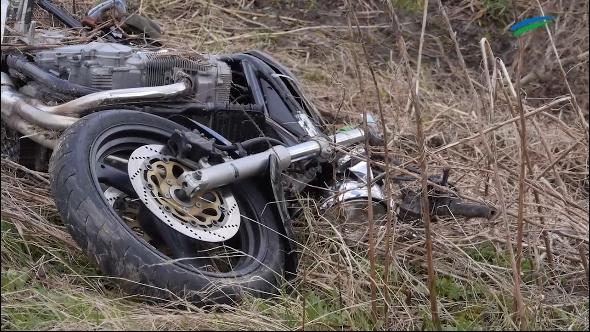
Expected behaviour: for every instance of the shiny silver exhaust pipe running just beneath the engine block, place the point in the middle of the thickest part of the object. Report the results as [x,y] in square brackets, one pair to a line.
[118,97]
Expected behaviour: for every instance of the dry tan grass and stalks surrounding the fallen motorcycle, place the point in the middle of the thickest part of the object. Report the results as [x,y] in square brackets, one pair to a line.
[47,282]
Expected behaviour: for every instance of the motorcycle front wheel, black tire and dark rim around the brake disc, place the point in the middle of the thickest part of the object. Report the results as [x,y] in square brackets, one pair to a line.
[110,222]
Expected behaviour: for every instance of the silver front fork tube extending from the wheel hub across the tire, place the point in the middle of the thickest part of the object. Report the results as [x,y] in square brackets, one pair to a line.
[231,171]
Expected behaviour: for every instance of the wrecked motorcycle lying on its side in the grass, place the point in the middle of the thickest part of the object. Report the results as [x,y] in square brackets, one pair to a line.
[178,173]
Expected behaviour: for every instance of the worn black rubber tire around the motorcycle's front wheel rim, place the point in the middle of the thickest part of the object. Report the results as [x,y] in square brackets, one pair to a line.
[120,253]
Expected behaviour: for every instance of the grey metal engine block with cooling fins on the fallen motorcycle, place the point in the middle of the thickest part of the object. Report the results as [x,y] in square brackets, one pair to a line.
[107,66]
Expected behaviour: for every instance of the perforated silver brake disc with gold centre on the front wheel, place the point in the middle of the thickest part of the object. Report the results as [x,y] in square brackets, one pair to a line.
[213,216]
